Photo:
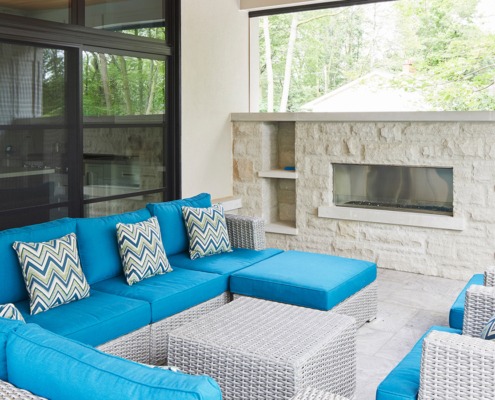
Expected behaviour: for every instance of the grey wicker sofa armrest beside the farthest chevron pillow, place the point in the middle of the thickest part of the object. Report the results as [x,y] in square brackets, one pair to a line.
[246,232]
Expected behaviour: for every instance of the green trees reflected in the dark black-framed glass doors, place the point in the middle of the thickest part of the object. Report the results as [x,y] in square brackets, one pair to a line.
[112,84]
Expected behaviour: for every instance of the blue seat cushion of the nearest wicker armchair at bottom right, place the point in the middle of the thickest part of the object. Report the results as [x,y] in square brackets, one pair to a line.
[402,383]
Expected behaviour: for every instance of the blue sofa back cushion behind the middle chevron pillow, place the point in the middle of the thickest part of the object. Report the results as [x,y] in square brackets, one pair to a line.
[97,242]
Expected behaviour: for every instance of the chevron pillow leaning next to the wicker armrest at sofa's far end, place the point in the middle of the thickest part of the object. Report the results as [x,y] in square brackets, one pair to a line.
[207,231]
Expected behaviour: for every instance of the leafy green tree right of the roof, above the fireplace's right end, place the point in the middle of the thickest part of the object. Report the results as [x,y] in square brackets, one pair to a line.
[454,58]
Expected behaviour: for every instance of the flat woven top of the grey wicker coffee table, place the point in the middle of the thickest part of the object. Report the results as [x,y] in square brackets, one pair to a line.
[268,329]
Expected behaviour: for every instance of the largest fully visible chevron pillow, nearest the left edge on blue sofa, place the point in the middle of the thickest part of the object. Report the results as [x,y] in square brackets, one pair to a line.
[52,272]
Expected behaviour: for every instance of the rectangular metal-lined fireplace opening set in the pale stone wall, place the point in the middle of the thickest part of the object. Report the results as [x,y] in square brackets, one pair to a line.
[396,188]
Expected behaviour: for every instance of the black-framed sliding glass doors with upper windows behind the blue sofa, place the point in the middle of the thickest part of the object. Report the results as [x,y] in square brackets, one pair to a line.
[89,108]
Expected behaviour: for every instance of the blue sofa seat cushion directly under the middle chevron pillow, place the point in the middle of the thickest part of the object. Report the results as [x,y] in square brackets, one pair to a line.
[171,293]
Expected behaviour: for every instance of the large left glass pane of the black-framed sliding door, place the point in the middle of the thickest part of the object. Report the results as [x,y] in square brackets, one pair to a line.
[33,135]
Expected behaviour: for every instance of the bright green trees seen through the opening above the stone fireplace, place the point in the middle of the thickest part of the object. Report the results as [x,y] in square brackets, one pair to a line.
[453,57]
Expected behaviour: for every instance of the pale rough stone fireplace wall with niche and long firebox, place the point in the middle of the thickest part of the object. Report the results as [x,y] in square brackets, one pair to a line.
[449,228]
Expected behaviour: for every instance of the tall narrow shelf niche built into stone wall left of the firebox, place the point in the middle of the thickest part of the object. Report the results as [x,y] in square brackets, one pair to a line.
[280,175]
